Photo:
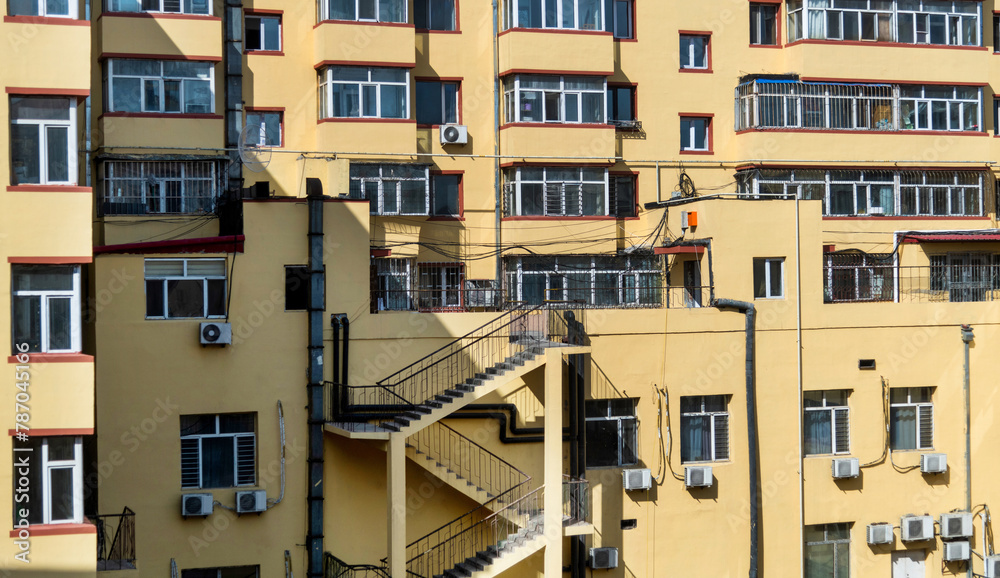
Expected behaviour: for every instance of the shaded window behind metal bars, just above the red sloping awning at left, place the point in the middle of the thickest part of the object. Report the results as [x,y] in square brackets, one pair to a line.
[153,189]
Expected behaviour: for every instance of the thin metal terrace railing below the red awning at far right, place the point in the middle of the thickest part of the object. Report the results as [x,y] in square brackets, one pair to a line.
[951,283]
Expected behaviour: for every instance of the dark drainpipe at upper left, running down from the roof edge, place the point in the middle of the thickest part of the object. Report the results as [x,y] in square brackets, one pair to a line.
[233,64]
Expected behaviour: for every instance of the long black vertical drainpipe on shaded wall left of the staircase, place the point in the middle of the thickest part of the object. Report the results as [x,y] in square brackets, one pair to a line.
[317,300]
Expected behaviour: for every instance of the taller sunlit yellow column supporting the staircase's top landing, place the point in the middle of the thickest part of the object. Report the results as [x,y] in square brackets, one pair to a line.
[552,497]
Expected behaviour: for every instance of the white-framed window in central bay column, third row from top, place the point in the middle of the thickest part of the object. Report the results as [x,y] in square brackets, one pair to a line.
[562,189]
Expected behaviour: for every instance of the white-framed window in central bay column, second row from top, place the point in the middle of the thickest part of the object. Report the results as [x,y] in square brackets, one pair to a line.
[514,92]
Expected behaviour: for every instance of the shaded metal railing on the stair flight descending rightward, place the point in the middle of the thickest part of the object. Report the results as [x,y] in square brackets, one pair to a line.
[467,459]
